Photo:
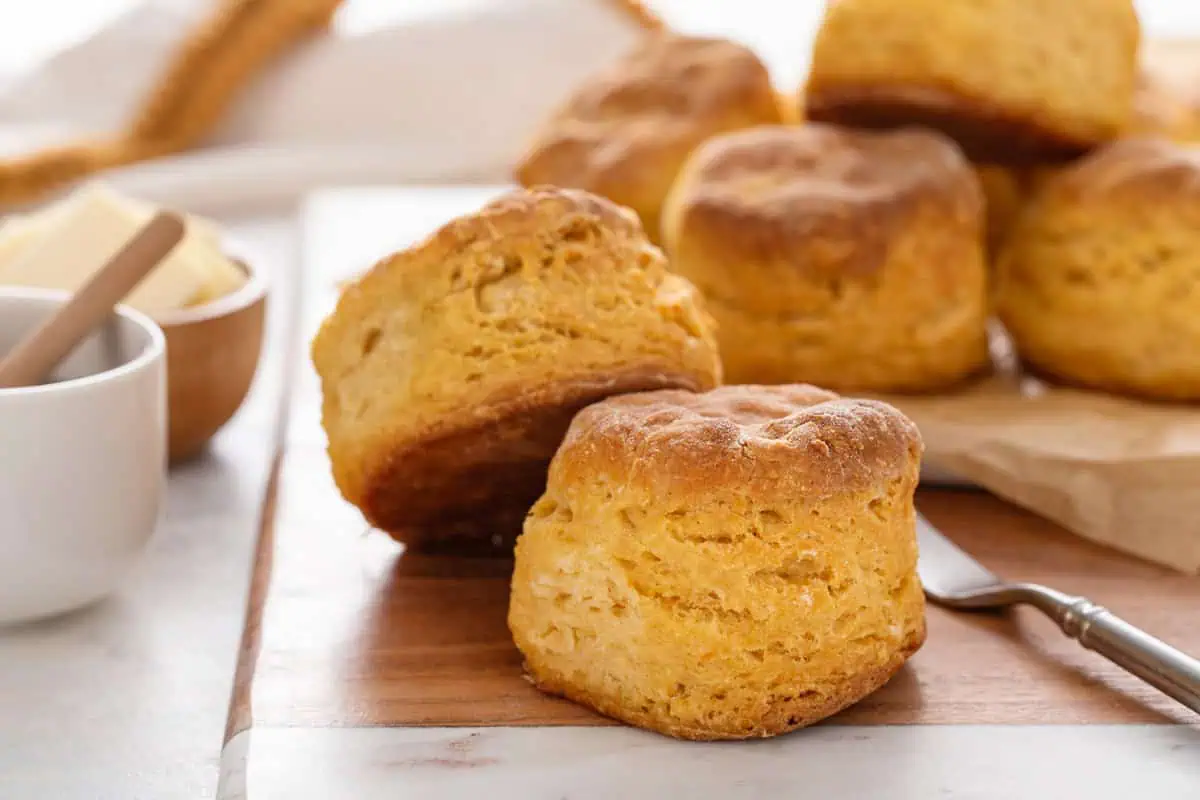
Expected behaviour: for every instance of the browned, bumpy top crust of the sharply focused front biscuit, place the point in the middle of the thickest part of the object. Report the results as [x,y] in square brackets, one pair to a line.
[772,441]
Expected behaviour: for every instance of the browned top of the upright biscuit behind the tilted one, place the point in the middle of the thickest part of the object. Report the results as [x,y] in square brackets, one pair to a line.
[785,191]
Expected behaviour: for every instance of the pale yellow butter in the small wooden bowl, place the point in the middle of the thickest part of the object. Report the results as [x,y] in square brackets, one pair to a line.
[63,246]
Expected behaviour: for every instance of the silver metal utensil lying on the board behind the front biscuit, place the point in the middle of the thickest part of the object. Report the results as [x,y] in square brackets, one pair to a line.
[953,579]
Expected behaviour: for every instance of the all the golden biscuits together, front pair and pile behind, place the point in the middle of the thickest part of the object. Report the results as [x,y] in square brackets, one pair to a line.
[727,562]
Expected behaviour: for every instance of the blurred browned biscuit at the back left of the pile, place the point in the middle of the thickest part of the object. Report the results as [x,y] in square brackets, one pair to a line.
[626,133]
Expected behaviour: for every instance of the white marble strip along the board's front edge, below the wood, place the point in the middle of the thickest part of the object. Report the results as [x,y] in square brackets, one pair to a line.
[848,763]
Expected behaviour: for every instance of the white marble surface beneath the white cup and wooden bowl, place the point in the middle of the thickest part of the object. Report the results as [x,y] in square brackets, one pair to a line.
[128,700]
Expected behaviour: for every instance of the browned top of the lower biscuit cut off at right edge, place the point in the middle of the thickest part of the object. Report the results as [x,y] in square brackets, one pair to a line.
[1130,172]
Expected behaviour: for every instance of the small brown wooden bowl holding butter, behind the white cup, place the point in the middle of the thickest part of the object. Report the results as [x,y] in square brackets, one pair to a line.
[213,353]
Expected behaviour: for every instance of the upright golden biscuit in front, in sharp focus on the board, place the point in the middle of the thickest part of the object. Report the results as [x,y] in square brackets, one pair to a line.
[725,566]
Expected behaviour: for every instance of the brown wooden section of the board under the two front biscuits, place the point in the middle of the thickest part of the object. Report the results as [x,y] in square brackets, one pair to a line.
[346,630]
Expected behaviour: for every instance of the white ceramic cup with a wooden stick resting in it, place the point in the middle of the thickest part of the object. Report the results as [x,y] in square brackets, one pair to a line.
[82,462]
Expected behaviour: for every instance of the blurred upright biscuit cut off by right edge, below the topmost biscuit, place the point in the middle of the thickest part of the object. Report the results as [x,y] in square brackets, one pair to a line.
[1100,282]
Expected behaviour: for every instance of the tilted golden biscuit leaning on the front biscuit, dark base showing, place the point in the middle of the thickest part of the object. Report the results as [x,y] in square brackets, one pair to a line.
[453,369]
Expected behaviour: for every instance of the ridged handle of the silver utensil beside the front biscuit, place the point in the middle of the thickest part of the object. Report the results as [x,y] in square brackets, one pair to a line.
[1156,663]
